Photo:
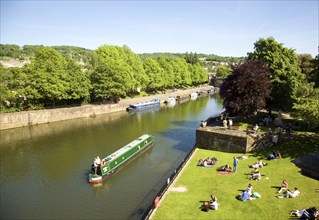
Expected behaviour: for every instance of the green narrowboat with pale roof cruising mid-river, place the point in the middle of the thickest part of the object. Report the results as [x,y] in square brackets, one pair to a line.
[114,161]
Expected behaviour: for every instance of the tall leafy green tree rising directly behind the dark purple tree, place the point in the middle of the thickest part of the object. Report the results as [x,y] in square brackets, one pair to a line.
[285,72]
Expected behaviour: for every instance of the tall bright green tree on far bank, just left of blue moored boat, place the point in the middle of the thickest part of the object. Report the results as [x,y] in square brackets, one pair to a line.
[112,78]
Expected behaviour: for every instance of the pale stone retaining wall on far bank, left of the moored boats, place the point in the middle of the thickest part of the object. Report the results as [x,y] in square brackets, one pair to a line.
[27,118]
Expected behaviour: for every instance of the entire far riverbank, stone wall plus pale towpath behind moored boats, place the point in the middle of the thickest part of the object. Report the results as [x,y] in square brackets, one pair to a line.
[29,118]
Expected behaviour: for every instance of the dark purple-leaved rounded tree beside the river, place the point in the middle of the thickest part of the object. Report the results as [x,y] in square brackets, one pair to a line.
[246,90]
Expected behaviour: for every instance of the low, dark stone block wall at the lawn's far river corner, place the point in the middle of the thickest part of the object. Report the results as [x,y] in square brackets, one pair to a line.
[220,139]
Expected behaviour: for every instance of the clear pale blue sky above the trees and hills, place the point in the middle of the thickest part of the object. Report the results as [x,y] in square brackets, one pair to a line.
[225,28]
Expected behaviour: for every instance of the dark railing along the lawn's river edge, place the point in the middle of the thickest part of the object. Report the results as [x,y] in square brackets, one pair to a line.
[149,210]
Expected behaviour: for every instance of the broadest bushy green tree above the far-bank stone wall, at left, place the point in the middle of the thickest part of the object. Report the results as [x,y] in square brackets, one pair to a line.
[53,79]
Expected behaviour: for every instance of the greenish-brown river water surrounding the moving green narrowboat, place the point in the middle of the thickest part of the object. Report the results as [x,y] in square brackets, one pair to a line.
[44,168]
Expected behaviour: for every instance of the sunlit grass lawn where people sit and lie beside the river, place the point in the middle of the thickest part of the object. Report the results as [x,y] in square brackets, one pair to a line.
[201,182]
